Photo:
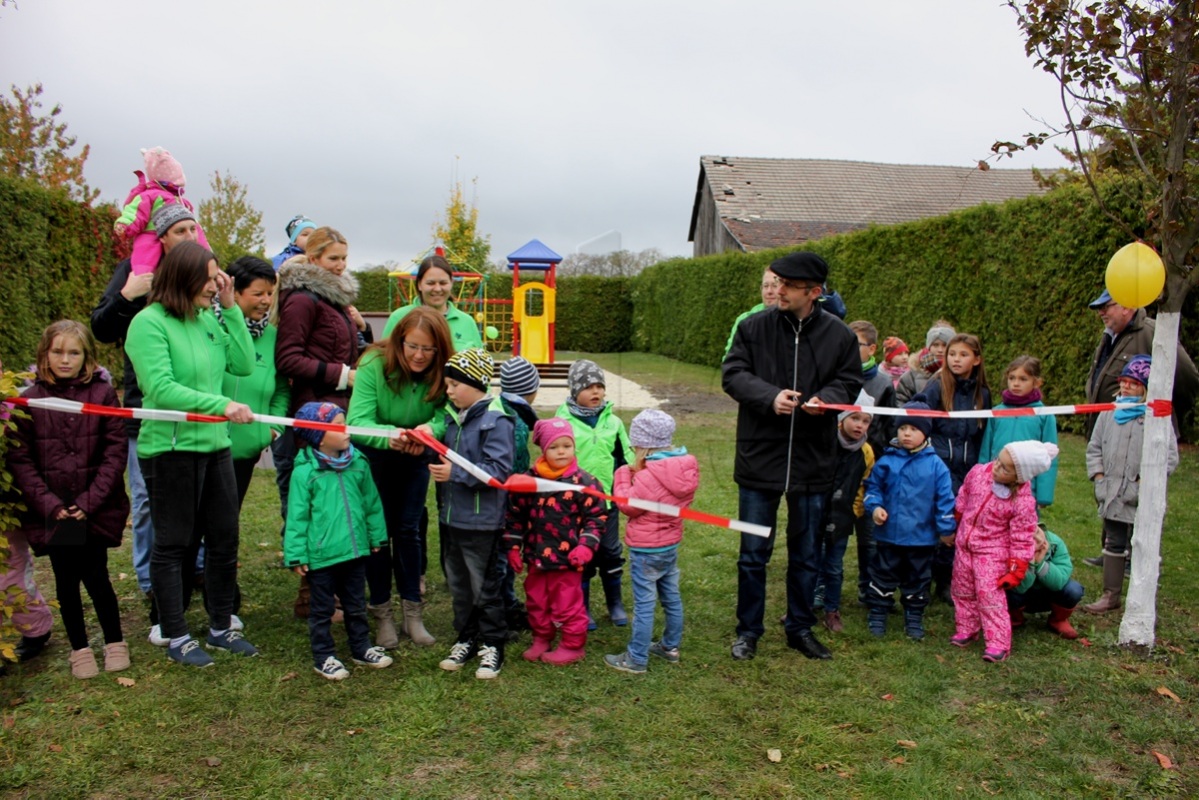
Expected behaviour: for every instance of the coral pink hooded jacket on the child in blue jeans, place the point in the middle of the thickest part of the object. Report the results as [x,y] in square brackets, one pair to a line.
[672,480]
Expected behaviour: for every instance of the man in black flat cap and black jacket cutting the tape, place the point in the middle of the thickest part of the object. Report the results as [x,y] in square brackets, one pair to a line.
[784,365]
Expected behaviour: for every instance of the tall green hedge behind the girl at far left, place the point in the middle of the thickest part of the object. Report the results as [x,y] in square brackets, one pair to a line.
[56,260]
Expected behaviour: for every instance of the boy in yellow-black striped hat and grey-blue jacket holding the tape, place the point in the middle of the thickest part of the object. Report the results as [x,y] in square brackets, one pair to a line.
[473,513]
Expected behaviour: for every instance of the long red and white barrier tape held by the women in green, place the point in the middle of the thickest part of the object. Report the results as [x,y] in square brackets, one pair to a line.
[515,484]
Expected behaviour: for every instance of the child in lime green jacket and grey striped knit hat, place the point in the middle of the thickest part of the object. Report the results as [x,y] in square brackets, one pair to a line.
[602,447]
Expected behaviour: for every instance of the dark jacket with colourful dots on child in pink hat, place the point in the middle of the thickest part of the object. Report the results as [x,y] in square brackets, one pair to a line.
[549,527]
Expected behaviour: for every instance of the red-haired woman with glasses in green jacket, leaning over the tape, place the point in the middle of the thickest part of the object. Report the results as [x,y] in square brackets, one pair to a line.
[401,384]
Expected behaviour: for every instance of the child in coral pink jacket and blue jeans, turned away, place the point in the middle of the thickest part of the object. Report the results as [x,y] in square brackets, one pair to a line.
[665,474]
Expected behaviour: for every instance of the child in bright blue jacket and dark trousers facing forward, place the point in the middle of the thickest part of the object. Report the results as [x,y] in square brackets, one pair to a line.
[909,496]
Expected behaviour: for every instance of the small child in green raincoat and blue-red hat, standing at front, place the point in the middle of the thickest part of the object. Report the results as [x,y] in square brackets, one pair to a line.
[335,522]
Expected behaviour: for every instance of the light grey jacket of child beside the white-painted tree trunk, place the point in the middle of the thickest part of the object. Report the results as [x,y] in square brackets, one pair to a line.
[1114,450]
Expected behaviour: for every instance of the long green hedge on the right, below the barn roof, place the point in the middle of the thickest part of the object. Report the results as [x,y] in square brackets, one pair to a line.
[1019,275]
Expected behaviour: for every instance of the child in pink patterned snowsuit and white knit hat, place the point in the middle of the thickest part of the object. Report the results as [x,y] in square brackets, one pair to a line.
[997,522]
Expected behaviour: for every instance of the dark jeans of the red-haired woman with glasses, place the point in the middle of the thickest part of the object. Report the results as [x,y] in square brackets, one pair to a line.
[402,482]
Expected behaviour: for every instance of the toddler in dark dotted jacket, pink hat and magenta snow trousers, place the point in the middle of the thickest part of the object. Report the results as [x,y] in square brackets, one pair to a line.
[557,536]
